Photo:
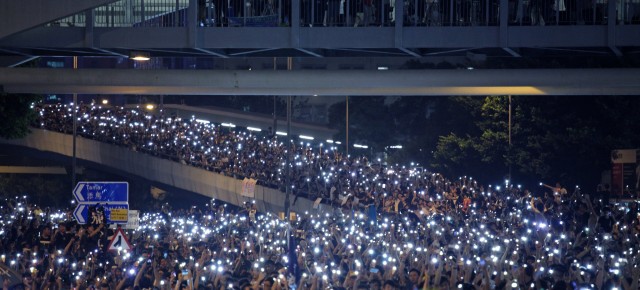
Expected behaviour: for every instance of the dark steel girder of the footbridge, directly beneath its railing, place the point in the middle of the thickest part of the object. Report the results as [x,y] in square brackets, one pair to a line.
[256,38]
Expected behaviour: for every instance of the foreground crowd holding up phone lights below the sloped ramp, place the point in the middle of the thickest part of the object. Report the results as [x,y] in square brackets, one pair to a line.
[502,239]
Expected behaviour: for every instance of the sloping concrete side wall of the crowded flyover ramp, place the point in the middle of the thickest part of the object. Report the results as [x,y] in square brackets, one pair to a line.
[158,170]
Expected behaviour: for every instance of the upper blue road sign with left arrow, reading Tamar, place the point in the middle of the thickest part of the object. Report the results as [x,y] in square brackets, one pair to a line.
[102,192]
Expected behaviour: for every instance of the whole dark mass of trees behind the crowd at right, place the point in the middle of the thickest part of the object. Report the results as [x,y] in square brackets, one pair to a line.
[553,138]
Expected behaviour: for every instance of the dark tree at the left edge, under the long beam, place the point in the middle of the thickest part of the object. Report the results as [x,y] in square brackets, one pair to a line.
[17,114]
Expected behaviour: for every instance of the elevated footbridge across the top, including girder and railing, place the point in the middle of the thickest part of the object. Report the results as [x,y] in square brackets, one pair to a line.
[182,28]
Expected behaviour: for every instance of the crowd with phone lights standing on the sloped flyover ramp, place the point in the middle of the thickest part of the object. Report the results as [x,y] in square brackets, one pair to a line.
[317,171]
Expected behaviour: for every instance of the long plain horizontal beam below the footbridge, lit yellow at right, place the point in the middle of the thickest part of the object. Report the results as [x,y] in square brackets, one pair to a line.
[312,82]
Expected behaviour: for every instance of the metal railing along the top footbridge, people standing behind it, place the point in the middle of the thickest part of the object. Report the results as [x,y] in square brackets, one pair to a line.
[355,13]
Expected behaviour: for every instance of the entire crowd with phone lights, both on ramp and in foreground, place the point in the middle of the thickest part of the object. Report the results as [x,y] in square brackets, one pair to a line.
[392,227]
